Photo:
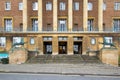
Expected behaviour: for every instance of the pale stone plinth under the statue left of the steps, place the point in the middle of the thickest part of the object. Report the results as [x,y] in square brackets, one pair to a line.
[18,55]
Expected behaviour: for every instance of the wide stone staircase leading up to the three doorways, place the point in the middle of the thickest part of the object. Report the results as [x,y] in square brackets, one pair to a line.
[64,59]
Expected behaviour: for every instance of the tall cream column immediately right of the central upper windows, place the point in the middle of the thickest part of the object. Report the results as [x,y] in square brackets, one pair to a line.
[70,15]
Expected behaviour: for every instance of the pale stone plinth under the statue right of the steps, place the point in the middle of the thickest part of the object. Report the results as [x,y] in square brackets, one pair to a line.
[110,56]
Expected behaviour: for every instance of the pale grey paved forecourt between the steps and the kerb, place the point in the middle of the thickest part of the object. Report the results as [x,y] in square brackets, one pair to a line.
[67,69]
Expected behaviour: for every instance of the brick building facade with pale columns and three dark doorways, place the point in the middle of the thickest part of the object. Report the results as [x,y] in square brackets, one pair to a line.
[59,26]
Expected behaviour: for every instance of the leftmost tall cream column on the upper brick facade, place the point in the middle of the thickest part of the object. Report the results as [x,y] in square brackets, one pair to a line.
[25,15]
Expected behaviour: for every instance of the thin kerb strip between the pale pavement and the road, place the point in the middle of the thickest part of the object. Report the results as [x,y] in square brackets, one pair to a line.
[61,73]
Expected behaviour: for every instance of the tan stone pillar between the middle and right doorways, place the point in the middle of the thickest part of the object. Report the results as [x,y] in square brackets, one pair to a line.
[70,45]
